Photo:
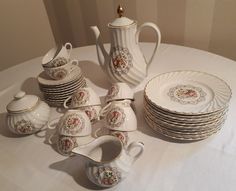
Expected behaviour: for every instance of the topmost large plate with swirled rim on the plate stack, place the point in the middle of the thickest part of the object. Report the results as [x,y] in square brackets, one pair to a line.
[188,92]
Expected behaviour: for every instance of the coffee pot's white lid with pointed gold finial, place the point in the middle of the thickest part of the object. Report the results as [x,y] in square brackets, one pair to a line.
[121,21]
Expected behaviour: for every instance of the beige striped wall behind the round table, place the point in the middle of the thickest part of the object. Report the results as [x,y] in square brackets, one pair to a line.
[29,27]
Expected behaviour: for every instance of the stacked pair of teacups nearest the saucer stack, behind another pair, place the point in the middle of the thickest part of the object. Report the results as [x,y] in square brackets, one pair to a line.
[86,100]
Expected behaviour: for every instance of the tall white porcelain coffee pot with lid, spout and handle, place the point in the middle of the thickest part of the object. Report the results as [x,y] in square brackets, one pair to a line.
[125,62]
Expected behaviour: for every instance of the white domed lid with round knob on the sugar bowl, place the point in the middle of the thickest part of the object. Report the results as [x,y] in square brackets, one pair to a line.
[22,103]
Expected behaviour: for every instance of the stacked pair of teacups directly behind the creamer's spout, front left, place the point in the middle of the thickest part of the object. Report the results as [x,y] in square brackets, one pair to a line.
[73,129]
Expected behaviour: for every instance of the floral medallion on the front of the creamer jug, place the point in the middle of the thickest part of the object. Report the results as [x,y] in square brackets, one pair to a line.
[107,175]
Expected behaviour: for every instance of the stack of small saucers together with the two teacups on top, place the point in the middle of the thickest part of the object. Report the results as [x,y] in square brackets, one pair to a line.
[61,75]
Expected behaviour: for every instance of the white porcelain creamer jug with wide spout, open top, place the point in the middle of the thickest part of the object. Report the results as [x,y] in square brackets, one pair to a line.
[108,162]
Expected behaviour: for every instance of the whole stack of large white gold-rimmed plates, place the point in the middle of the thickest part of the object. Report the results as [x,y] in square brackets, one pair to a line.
[186,105]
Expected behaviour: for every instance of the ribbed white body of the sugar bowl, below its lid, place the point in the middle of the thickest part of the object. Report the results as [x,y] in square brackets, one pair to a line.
[30,121]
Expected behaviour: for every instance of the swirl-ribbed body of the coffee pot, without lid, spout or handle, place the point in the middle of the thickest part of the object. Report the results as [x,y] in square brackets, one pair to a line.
[126,62]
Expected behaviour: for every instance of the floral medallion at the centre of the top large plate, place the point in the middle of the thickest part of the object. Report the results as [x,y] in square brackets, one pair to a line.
[186,94]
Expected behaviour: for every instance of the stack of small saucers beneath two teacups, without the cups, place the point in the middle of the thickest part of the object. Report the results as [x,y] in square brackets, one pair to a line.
[56,91]
